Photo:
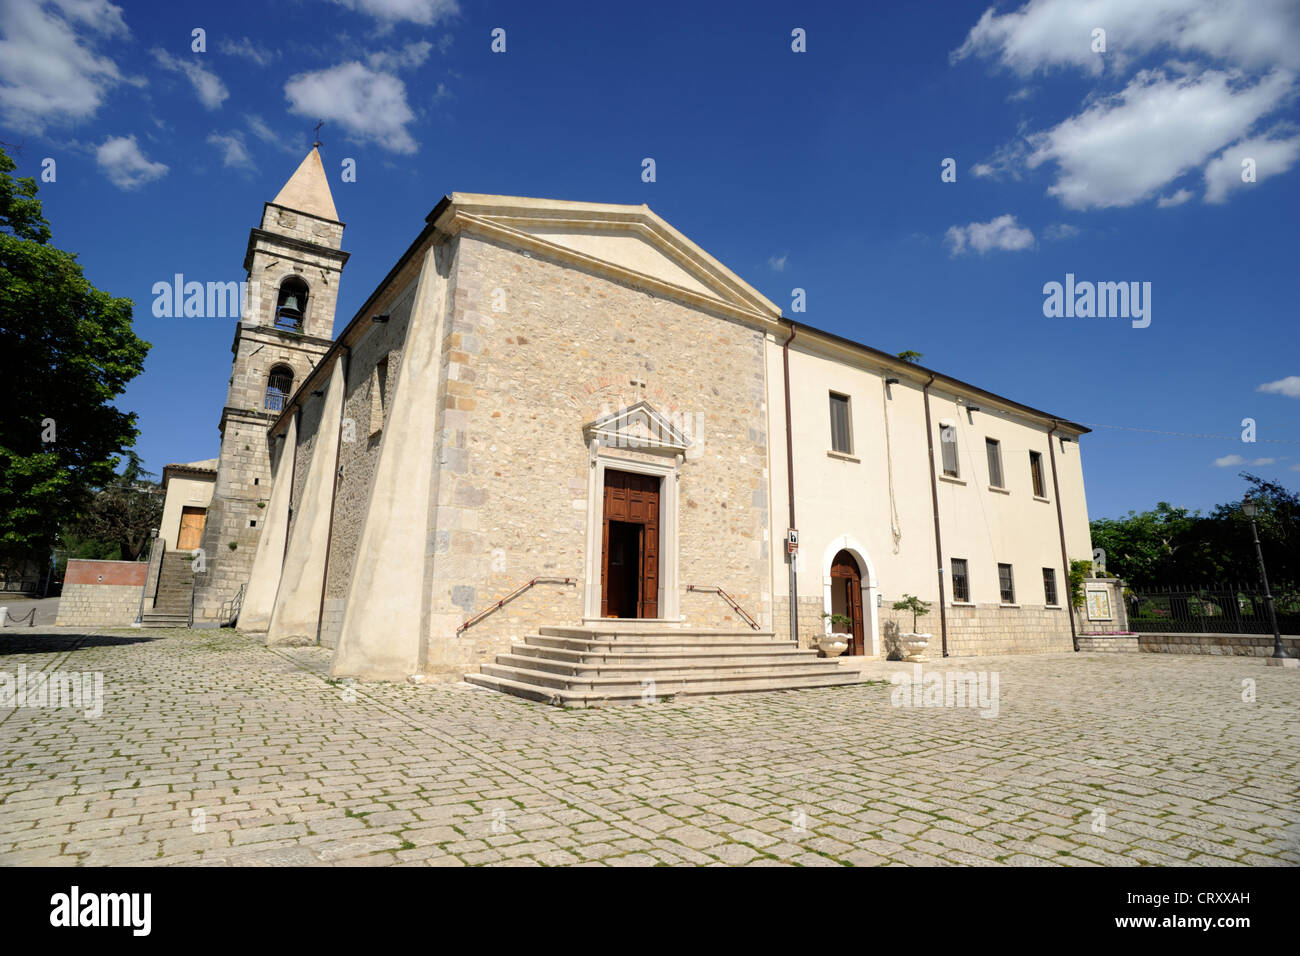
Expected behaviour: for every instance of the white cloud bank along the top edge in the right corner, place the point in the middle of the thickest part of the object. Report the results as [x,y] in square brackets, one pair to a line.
[1046,34]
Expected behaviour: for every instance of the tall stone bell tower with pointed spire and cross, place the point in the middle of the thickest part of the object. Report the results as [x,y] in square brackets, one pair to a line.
[294,262]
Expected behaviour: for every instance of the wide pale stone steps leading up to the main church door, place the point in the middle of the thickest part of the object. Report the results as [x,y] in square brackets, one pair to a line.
[606,664]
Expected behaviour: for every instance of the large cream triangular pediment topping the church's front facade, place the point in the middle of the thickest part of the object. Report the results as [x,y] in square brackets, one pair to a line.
[629,241]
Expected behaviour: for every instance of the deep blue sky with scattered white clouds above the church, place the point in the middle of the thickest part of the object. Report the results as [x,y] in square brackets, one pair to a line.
[817,170]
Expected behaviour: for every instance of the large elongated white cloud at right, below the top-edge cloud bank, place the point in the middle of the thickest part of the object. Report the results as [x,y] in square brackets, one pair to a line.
[1125,149]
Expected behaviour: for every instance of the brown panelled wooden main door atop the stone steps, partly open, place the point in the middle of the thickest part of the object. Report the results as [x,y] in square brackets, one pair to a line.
[630,547]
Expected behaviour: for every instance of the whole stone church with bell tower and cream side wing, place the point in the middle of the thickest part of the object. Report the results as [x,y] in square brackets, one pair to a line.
[567,421]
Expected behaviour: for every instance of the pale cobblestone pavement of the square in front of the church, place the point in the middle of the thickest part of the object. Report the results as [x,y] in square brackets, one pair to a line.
[215,750]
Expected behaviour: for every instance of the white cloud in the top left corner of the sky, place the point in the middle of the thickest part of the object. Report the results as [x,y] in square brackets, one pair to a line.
[50,72]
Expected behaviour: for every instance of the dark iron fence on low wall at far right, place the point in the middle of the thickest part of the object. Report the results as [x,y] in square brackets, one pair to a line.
[1214,609]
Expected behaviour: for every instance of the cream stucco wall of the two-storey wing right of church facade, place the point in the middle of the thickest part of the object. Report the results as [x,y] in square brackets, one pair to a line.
[844,501]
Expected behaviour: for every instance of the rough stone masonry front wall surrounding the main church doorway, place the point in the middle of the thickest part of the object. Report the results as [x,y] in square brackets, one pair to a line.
[564,348]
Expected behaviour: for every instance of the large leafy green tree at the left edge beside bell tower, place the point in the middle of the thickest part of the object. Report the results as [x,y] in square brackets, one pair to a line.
[70,352]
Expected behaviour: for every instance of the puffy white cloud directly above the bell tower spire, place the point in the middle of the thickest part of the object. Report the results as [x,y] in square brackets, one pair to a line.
[371,106]
